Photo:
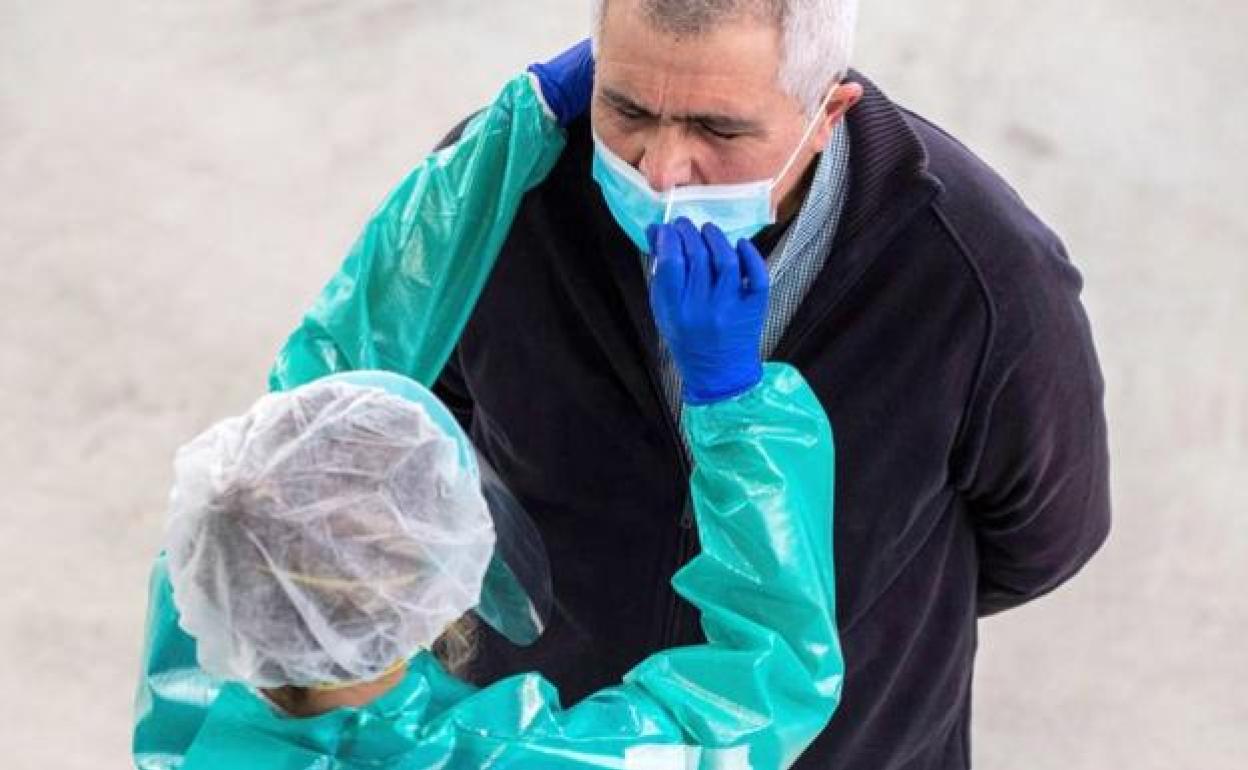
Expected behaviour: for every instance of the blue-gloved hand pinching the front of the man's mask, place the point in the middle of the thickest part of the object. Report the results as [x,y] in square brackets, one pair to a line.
[709,303]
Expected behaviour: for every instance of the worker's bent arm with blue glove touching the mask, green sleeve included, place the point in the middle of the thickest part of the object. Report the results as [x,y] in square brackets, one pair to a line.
[769,677]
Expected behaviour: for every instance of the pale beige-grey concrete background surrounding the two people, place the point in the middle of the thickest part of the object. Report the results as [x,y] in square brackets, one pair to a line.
[180,178]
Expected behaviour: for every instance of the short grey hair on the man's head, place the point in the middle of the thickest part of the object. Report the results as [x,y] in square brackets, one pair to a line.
[818,36]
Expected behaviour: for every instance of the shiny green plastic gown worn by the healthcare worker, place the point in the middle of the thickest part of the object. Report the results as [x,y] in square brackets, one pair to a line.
[756,696]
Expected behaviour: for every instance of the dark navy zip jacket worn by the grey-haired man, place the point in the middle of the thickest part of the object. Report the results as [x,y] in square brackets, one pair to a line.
[947,341]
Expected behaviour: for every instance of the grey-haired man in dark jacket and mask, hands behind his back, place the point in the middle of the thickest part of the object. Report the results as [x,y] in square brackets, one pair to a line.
[937,319]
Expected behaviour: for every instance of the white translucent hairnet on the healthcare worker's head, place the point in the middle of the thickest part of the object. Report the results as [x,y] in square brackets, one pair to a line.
[324,536]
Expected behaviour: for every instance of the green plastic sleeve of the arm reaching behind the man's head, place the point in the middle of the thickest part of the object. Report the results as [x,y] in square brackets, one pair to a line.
[431,246]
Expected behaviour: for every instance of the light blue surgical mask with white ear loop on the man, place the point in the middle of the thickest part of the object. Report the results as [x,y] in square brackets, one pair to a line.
[739,210]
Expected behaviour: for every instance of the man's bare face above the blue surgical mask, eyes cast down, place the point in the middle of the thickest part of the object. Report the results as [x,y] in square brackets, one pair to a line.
[698,110]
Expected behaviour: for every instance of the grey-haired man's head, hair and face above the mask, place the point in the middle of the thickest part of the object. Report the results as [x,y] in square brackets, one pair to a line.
[722,92]
